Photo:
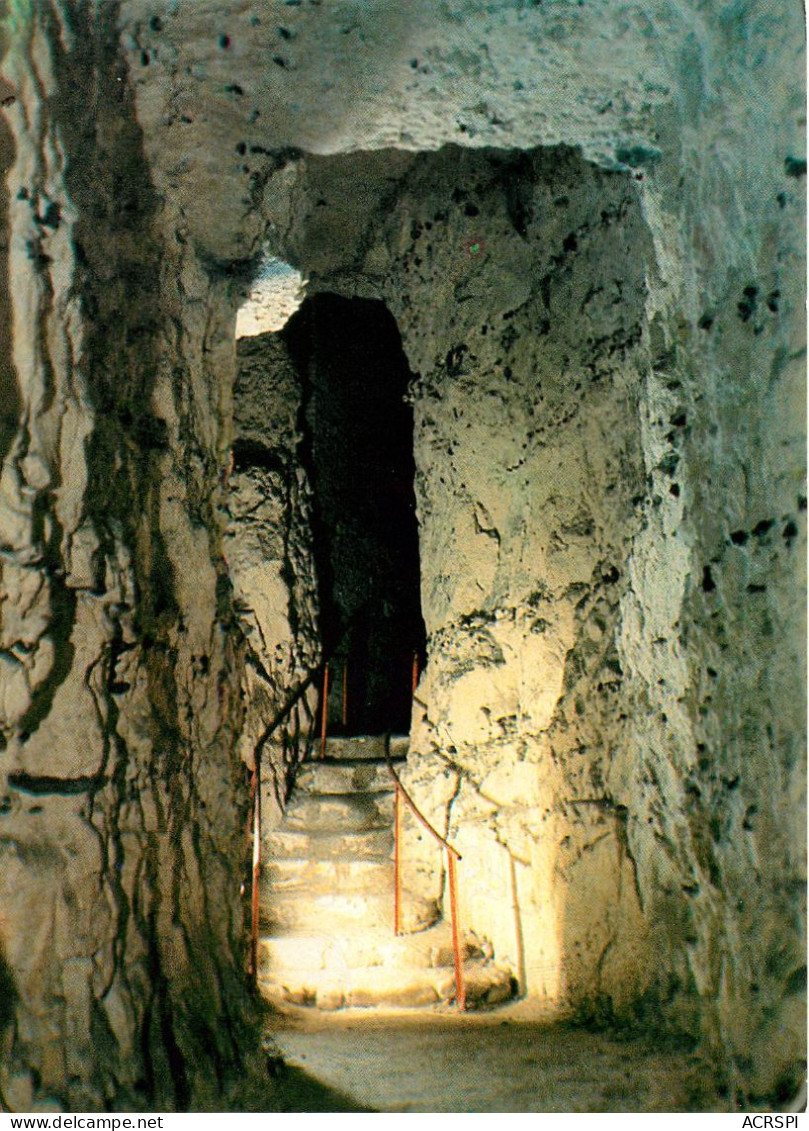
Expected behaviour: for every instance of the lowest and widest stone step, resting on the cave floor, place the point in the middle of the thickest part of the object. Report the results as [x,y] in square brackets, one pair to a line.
[402,987]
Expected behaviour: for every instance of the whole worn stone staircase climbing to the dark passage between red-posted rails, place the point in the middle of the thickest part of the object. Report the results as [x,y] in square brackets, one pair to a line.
[328,900]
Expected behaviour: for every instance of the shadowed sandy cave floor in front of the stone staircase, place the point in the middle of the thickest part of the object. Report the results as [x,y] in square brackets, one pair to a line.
[486,1063]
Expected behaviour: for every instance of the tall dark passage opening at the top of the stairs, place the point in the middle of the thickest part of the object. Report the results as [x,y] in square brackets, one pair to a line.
[358,451]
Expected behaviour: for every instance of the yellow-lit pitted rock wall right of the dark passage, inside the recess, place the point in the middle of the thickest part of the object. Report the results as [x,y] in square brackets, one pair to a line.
[531,456]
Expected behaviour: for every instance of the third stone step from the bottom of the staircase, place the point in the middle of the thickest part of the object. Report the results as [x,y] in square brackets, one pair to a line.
[307,913]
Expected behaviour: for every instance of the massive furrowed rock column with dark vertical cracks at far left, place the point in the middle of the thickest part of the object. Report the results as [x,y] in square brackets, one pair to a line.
[122,802]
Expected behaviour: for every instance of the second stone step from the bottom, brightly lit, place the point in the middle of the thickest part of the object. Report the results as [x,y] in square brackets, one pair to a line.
[431,948]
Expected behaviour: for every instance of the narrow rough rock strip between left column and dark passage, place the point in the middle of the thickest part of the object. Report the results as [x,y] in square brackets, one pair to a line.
[268,548]
